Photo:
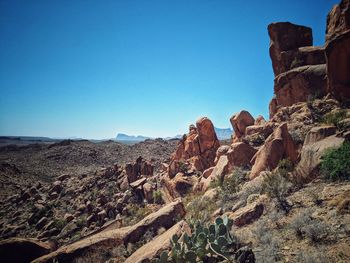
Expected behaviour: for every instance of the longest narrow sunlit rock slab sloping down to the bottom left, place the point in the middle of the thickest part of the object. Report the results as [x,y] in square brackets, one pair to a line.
[108,238]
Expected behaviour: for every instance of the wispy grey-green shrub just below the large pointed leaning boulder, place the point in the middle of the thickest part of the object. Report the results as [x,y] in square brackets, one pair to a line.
[277,187]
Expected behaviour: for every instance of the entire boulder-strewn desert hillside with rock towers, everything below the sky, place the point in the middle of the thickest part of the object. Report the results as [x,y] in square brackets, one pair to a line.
[278,192]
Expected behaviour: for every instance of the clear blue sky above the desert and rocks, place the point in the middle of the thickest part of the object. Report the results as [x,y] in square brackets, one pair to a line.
[95,68]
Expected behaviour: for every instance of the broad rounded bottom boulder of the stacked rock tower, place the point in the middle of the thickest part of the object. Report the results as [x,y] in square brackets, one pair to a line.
[298,84]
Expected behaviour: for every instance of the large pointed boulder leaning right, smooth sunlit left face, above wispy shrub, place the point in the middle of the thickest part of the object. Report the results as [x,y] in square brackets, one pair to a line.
[279,145]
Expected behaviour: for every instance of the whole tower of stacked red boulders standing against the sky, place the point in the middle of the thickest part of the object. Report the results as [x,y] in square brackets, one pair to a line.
[299,67]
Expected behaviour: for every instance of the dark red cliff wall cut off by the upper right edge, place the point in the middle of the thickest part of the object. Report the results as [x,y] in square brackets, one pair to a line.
[338,50]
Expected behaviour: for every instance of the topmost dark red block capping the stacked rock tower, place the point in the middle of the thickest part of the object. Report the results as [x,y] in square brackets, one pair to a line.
[285,36]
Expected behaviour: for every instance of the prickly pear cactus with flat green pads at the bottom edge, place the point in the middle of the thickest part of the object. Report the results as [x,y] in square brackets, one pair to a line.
[205,244]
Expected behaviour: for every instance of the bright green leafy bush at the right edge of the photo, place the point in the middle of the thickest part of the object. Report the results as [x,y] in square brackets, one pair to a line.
[335,164]
